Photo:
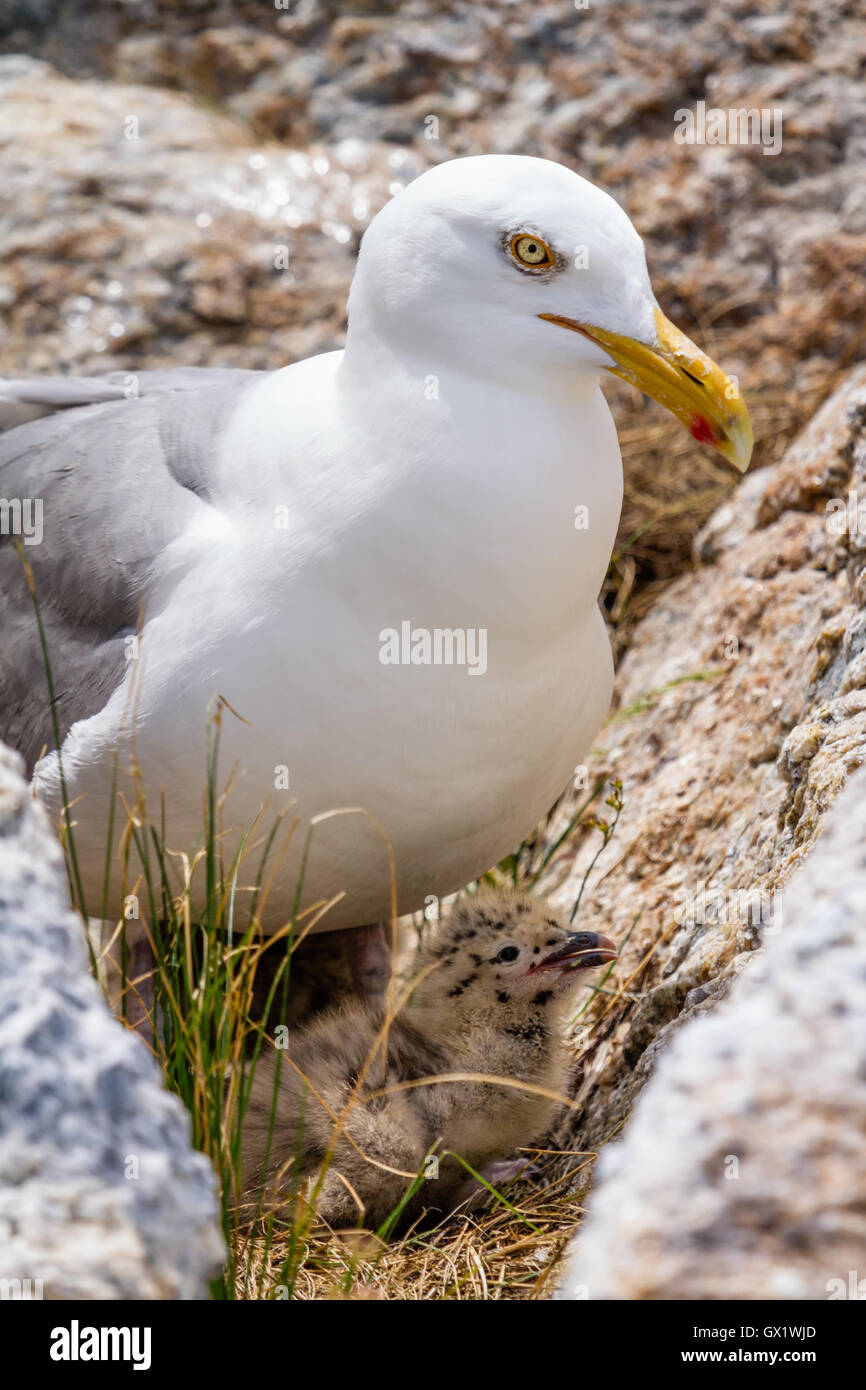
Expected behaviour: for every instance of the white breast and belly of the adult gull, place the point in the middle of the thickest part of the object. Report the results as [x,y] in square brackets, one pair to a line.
[433,512]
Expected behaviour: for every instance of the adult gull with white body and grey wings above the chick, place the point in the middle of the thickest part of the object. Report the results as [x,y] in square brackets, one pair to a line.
[383,564]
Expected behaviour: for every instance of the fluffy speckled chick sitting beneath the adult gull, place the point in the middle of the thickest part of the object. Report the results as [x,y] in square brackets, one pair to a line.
[493,989]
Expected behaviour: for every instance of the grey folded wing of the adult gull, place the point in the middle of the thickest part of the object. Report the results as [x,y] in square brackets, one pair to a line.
[94,493]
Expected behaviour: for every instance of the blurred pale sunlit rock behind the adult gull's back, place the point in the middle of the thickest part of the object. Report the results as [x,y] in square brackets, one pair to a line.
[142,230]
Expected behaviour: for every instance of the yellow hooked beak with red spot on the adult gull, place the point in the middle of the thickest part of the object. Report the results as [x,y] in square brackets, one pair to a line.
[682,379]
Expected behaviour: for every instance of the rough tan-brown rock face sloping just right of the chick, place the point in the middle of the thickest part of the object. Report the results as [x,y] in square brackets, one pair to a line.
[740,712]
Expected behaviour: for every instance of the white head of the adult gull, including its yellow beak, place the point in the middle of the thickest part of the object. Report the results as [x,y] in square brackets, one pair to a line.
[484,262]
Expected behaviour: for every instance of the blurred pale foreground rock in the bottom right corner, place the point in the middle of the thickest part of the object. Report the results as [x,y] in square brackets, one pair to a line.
[742,1171]
